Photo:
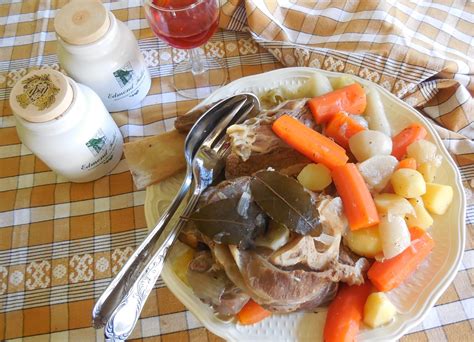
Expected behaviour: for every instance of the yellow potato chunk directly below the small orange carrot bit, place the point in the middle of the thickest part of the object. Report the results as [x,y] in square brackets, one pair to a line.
[408,183]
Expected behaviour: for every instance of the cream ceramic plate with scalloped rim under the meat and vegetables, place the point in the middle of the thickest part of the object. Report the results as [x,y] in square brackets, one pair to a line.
[413,299]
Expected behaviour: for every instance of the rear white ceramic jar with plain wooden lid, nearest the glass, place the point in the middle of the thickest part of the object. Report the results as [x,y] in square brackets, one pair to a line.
[98,50]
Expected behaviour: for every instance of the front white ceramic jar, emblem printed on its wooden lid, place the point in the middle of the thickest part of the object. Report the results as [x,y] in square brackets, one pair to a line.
[66,125]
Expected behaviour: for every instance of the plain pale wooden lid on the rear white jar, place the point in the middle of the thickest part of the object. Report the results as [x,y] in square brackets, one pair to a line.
[82,22]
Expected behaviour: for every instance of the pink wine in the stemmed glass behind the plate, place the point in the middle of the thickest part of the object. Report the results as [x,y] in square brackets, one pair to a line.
[184,24]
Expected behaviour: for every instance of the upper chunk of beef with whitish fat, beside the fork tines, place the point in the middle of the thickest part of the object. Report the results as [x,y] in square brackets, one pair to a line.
[256,147]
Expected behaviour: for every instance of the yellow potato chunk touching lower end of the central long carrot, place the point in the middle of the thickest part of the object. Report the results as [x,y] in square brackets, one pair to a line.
[365,241]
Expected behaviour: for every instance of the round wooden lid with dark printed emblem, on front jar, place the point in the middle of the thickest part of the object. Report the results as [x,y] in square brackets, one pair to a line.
[41,95]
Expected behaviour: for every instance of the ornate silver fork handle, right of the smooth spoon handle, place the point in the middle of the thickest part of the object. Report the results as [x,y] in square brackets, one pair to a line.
[123,319]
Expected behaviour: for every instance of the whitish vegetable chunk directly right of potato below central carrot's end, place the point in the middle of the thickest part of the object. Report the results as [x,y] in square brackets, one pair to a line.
[394,235]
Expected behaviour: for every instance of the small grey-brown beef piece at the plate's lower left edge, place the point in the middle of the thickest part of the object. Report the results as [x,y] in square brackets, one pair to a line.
[211,284]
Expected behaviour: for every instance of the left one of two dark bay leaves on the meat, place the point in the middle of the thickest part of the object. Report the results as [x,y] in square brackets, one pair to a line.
[221,222]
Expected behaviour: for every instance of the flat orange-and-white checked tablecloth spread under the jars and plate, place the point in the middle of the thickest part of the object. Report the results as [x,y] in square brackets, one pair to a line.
[61,243]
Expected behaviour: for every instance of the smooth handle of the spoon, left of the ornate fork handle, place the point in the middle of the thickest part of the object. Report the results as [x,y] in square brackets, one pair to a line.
[133,268]
